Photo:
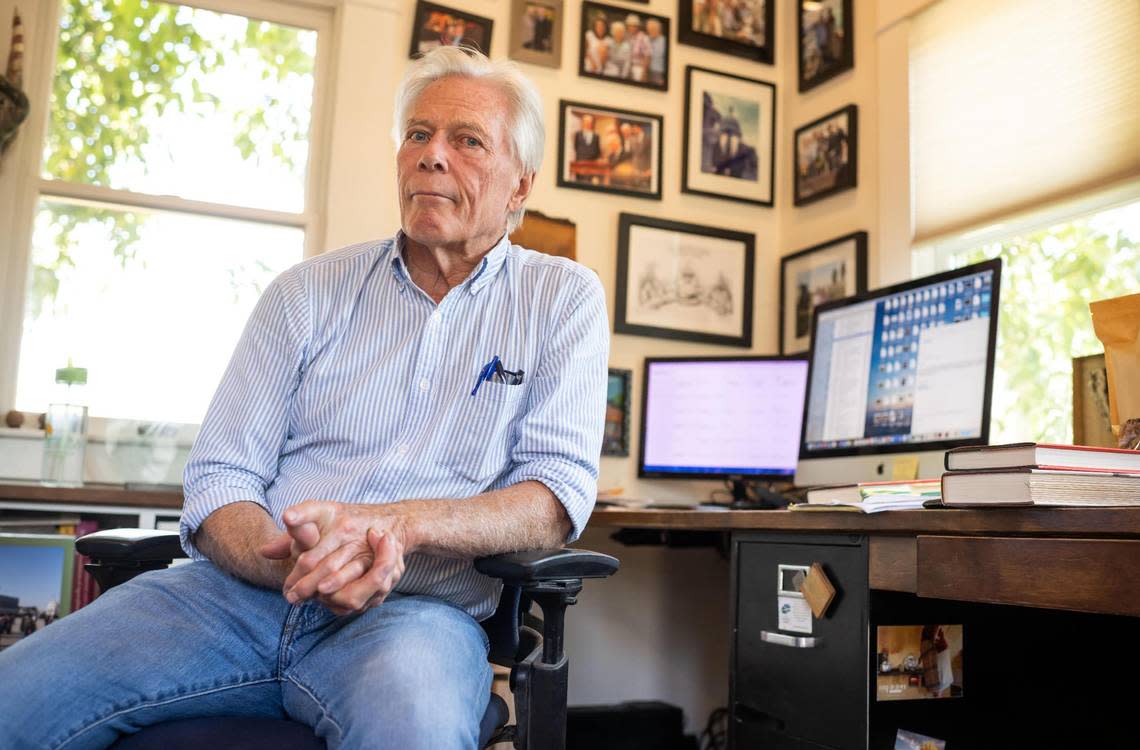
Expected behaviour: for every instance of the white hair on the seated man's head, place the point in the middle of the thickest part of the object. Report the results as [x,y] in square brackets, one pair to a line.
[525,105]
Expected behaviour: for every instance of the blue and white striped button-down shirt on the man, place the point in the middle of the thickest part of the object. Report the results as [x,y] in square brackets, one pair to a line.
[352,385]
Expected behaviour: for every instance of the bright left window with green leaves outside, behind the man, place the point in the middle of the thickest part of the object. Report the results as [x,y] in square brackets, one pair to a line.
[177,181]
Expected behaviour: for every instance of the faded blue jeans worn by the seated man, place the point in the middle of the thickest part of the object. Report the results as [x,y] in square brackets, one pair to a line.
[193,641]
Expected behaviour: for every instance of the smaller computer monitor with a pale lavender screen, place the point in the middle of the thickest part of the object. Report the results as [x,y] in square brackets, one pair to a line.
[732,419]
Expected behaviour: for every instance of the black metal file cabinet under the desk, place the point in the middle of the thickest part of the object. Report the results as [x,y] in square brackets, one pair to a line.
[793,690]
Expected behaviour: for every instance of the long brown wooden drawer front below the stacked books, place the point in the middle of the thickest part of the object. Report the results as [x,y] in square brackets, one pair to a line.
[1080,575]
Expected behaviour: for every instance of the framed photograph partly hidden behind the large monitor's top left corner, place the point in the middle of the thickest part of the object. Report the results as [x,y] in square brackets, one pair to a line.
[810,278]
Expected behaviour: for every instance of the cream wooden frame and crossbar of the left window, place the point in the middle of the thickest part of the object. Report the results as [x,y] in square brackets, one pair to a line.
[28,186]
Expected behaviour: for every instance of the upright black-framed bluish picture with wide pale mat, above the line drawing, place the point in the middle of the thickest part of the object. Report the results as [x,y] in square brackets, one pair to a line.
[730,145]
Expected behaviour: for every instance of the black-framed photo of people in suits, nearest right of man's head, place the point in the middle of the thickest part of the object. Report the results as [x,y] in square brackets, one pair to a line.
[609,151]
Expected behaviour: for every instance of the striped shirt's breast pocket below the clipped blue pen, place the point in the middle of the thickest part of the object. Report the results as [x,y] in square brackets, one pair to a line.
[477,445]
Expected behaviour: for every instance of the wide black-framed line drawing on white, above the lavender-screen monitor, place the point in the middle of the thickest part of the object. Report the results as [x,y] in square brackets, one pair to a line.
[687,282]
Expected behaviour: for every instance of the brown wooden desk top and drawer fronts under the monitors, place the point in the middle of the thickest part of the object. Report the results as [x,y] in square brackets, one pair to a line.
[1065,559]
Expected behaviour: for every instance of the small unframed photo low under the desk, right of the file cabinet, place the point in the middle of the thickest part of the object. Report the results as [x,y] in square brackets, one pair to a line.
[919,663]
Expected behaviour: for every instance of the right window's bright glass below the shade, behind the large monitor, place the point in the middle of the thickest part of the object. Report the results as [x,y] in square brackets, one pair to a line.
[1049,276]
